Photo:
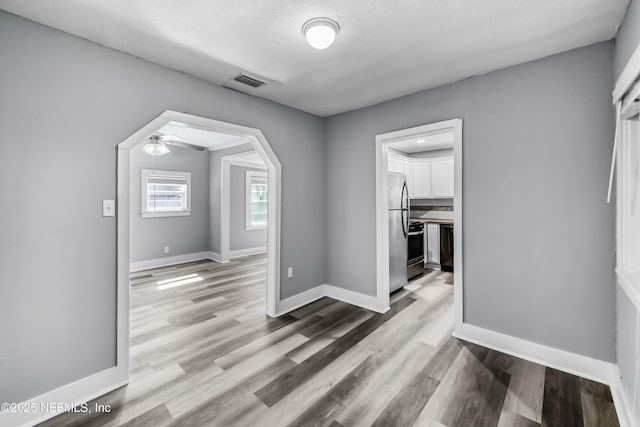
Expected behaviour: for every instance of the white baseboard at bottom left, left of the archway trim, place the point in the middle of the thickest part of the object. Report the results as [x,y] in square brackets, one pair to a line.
[75,393]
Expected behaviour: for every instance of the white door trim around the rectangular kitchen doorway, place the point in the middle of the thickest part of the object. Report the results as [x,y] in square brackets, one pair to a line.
[382,214]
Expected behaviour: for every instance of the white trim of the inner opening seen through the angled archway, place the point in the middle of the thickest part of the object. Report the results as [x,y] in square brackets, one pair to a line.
[225,200]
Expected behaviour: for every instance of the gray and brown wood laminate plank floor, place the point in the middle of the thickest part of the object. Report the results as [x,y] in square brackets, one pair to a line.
[203,353]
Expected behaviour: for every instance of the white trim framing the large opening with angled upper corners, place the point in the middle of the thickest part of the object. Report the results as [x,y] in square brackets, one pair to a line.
[261,145]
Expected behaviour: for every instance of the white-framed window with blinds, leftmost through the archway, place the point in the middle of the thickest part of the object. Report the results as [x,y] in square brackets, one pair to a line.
[165,193]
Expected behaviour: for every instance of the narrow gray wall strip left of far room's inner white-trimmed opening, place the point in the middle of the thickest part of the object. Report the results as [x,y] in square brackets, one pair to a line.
[215,192]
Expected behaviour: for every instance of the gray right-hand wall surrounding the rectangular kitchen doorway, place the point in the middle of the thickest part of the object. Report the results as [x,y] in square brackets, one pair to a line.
[538,235]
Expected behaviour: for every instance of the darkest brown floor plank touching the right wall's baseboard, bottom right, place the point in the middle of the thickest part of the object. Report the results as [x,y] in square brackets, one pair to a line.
[562,404]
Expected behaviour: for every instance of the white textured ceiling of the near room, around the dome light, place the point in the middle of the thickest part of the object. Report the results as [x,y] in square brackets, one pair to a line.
[384,49]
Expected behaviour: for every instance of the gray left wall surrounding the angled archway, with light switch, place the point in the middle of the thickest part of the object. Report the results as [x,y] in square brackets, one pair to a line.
[66,103]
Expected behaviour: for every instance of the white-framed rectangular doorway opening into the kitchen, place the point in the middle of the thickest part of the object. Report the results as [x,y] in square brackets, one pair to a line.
[402,155]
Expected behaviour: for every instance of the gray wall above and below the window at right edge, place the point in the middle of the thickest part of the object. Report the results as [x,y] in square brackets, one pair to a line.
[627,41]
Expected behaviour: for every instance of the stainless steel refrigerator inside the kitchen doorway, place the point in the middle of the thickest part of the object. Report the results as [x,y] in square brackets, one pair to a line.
[398,230]
